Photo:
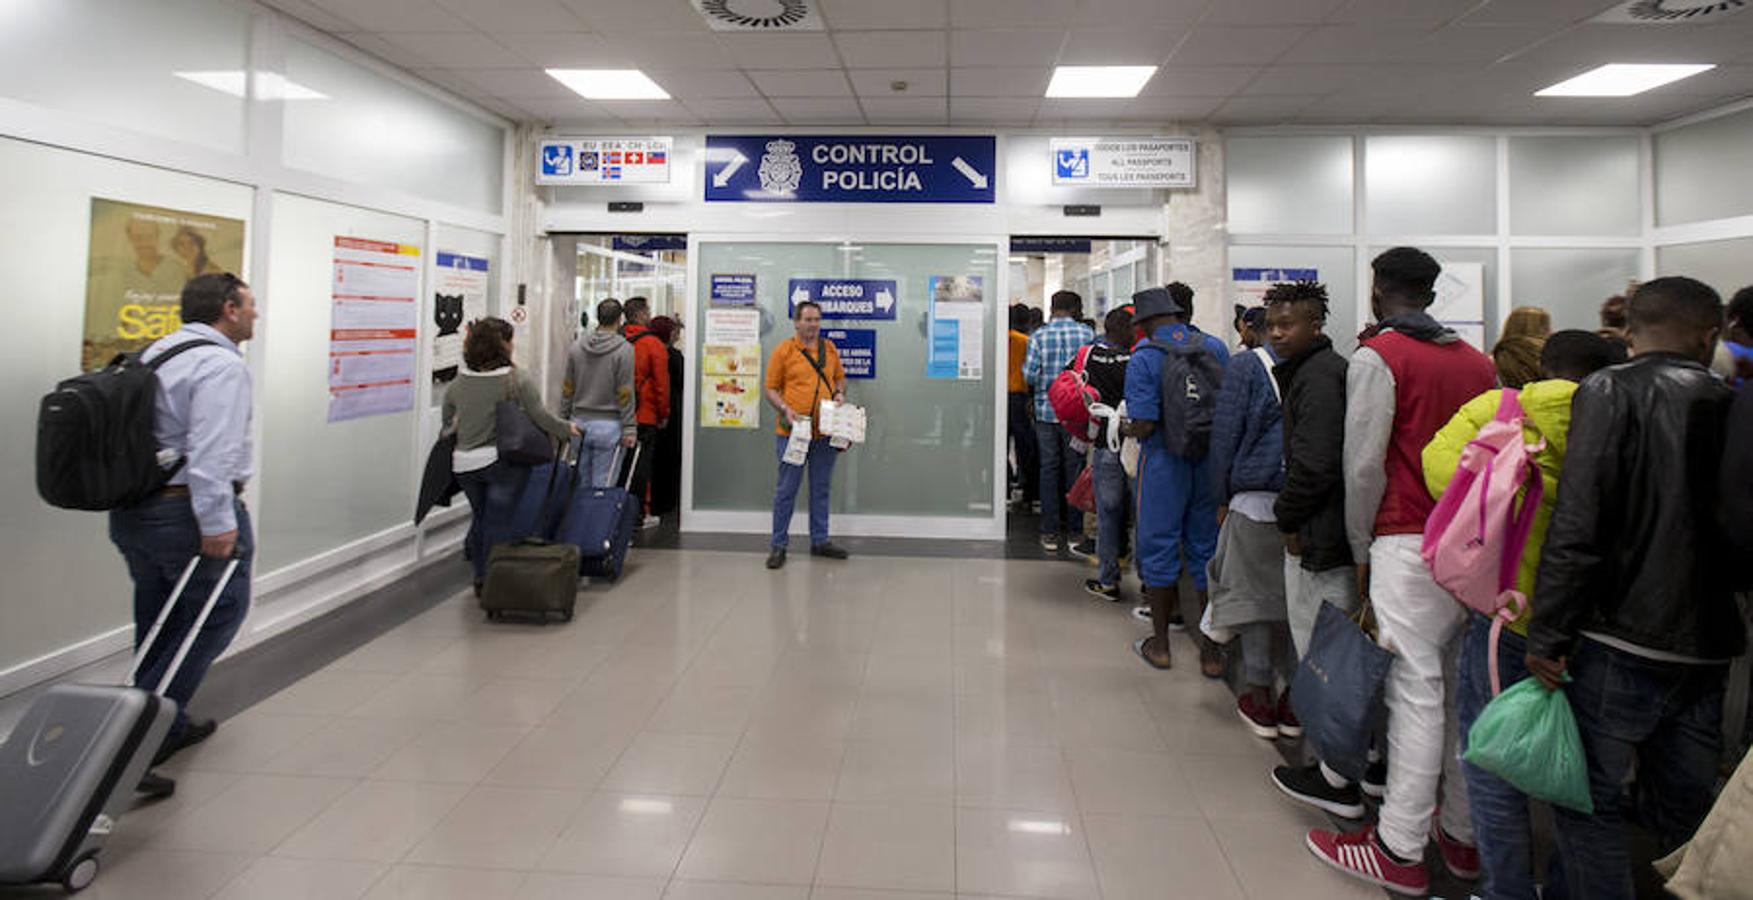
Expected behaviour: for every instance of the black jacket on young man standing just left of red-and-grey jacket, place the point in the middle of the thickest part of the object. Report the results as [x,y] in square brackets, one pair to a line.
[1312,503]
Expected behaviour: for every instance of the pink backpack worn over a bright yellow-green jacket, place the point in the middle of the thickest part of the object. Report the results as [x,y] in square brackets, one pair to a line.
[1477,534]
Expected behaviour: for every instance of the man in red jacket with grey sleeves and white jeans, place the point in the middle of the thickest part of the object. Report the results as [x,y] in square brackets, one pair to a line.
[1409,378]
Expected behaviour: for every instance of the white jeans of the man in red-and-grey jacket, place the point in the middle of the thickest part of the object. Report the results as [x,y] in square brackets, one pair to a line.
[1423,625]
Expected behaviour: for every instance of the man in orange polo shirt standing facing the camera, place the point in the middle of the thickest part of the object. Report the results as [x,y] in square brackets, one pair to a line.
[802,373]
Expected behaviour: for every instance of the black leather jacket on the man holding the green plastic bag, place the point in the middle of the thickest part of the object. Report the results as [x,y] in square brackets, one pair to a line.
[1635,550]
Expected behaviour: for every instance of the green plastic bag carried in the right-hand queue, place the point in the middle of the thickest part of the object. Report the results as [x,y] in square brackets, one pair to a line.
[1528,738]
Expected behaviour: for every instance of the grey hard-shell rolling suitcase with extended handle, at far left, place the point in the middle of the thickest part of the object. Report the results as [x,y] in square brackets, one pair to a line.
[71,766]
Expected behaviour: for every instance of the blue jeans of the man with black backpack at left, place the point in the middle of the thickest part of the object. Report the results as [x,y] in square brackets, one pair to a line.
[159,539]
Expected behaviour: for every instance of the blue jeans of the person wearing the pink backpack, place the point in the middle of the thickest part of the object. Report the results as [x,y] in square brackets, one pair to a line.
[1501,822]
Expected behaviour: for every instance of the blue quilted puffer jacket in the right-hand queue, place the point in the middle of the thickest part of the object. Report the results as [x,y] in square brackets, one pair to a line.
[1247,432]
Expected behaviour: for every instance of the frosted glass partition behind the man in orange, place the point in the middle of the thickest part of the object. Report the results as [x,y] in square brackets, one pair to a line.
[932,450]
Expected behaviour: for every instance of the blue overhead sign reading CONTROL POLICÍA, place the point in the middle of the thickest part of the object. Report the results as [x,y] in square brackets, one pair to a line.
[855,169]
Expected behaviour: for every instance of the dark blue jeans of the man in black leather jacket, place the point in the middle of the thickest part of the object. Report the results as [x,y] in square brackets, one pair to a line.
[1666,720]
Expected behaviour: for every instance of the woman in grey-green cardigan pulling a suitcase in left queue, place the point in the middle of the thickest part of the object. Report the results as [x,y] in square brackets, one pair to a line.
[471,408]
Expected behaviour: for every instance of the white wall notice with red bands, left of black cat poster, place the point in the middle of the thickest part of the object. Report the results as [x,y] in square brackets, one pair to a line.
[374,327]
